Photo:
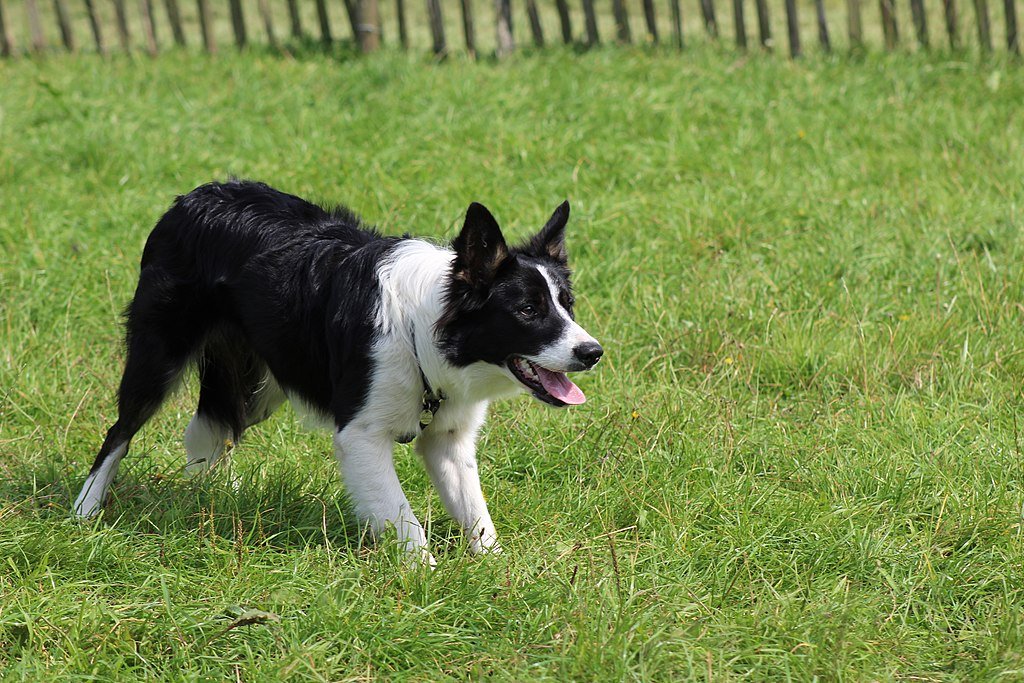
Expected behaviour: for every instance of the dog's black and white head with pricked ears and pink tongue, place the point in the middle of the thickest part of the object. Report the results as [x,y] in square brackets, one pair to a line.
[513,308]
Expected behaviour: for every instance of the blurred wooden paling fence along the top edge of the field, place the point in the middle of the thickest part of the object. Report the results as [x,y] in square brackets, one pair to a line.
[33,27]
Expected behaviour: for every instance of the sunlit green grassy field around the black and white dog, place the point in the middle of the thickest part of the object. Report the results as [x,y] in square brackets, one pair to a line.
[800,459]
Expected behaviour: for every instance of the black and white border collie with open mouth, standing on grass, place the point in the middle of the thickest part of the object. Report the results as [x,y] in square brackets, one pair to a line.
[382,339]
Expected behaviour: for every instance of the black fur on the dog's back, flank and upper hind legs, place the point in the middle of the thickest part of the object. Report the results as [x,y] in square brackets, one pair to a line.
[240,275]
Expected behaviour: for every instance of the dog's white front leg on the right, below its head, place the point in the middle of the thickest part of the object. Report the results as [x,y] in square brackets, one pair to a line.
[451,461]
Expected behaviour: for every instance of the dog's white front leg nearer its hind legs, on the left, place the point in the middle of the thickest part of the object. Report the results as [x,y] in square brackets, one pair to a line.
[368,469]
